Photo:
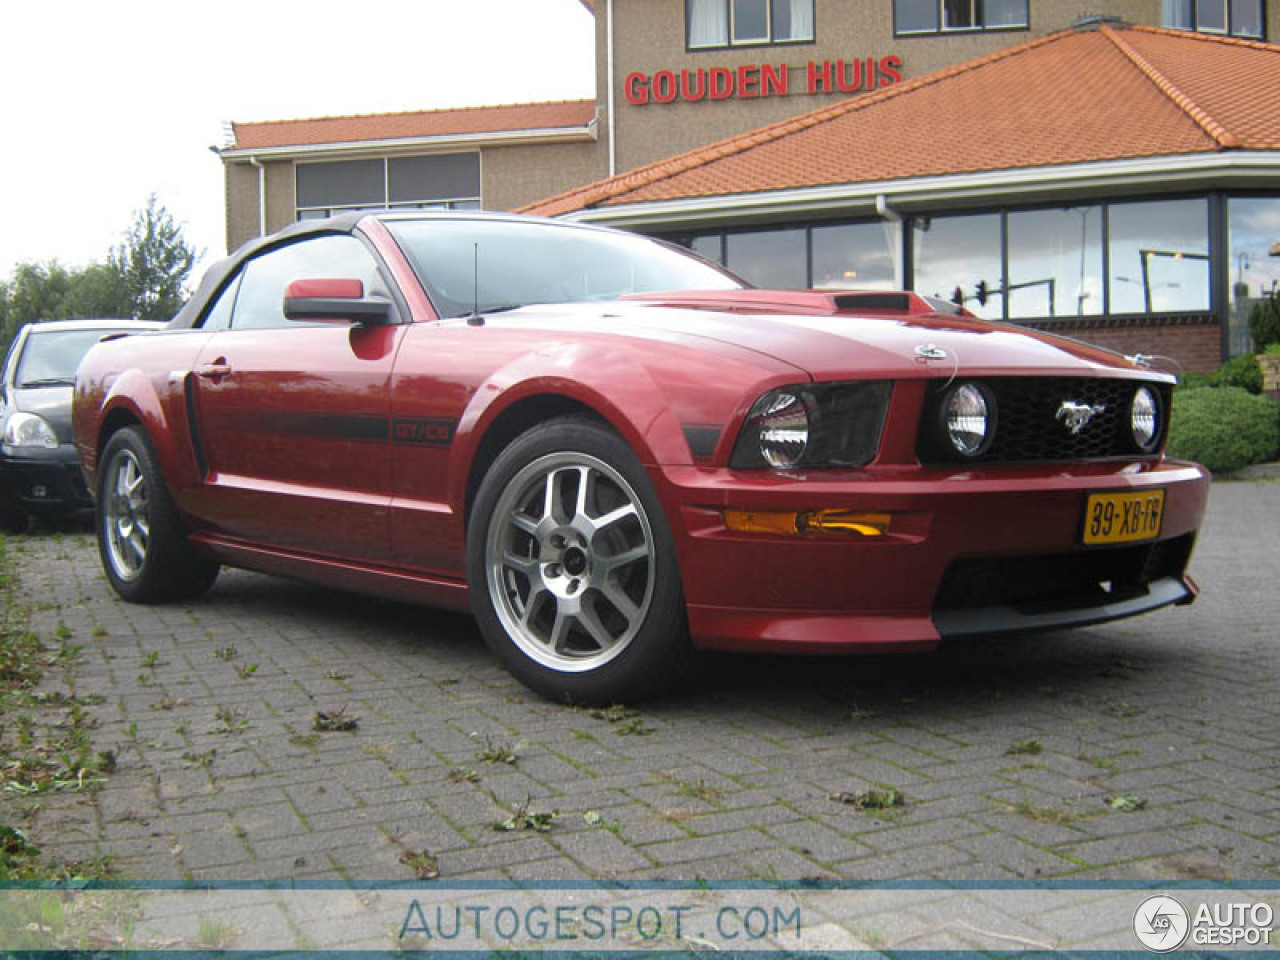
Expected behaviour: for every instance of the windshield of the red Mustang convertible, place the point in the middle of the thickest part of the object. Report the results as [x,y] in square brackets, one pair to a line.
[501,264]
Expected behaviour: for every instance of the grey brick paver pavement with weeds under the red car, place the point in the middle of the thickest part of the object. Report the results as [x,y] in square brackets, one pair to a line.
[1018,757]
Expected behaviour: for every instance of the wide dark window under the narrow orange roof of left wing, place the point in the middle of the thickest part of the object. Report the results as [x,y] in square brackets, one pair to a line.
[436,182]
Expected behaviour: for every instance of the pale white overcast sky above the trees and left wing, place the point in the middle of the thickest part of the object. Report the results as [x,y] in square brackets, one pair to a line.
[106,103]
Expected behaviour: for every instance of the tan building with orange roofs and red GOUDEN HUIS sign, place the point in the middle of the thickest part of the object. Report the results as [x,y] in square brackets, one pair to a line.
[1113,177]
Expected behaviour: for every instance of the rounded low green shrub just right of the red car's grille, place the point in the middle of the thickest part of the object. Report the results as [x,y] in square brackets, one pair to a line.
[1224,429]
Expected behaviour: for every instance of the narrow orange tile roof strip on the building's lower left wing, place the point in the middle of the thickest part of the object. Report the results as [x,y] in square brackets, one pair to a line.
[420,124]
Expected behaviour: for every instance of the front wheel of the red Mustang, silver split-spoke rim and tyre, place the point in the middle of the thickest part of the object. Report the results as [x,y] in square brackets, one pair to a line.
[573,569]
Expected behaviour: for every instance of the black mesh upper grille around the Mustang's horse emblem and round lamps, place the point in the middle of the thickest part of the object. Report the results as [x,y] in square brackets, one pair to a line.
[1030,429]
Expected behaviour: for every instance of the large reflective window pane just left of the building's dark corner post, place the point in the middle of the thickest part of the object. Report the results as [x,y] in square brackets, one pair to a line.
[1160,257]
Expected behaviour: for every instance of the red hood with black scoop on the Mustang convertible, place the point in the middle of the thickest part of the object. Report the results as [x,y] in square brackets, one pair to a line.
[834,337]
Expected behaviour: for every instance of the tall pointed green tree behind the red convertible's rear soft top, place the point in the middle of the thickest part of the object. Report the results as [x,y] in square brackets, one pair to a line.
[153,264]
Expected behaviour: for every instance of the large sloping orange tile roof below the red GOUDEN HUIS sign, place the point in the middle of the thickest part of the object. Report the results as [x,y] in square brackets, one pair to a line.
[1078,97]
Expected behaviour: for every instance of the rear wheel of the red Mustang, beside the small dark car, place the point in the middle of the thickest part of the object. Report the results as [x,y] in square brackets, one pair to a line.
[145,554]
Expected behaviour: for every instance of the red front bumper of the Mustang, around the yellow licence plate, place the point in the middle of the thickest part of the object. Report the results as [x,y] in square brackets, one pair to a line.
[970,552]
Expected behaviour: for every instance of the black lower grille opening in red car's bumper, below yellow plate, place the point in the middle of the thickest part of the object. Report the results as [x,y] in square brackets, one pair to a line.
[1059,582]
